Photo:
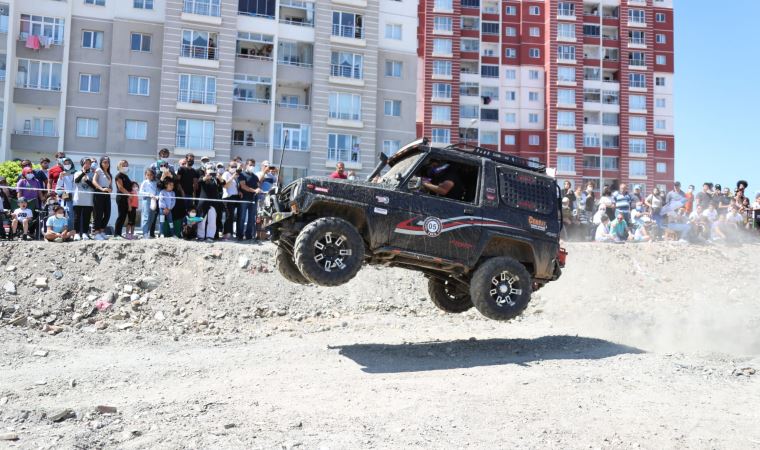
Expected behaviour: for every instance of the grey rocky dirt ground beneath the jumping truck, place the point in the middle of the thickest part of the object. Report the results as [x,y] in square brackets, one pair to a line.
[167,344]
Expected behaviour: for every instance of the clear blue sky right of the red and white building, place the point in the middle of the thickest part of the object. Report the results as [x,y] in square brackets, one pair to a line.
[717,93]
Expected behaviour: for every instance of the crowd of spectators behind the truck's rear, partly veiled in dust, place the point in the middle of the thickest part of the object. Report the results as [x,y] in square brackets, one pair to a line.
[618,215]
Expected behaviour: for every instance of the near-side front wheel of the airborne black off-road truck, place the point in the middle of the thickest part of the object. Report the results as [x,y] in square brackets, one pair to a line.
[341,246]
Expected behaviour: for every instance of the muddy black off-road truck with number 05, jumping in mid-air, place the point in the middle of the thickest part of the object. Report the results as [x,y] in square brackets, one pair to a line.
[491,245]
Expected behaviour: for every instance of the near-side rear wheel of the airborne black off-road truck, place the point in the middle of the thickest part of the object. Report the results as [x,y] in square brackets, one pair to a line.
[500,288]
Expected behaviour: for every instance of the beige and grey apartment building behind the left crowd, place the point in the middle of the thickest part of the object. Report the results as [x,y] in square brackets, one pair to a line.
[327,81]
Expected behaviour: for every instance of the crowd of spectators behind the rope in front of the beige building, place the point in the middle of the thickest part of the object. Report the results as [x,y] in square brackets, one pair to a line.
[206,201]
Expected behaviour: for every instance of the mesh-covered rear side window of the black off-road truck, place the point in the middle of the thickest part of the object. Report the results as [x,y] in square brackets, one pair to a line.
[526,191]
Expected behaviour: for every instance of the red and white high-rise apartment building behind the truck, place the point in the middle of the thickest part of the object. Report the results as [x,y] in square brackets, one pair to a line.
[584,86]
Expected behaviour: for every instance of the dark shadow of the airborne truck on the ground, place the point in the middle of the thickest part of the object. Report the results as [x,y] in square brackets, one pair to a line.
[427,356]
